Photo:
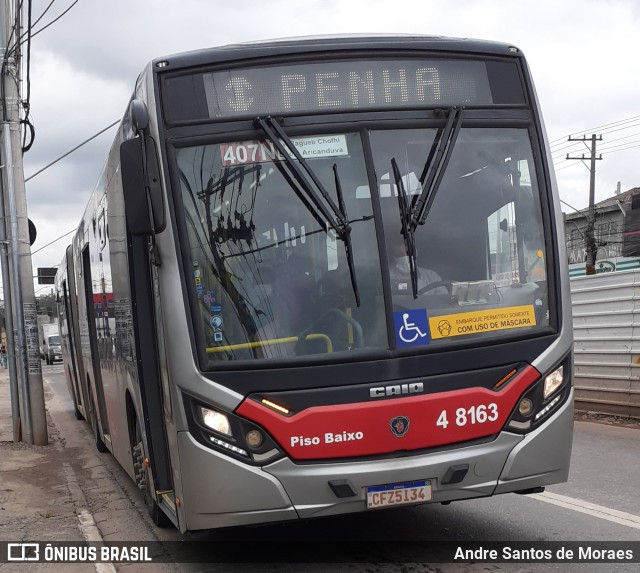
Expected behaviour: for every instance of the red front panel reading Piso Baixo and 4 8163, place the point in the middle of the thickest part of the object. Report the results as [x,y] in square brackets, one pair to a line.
[364,428]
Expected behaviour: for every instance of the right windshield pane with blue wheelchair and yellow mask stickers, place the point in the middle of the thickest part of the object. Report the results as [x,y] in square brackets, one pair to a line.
[480,259]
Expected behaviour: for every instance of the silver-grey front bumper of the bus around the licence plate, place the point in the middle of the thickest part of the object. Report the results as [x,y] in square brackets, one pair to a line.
[222,492]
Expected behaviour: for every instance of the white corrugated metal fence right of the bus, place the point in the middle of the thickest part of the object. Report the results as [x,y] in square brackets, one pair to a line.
[606,328]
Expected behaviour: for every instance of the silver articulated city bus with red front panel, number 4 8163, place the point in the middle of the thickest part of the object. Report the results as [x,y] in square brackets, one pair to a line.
[324,275]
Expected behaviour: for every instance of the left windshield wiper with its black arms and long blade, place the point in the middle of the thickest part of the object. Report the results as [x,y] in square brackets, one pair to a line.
[312,192]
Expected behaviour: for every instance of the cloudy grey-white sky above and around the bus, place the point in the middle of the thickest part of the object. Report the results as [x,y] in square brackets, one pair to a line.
[583,55]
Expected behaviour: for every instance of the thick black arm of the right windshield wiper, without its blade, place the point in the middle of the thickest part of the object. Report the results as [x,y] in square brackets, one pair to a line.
[434,168]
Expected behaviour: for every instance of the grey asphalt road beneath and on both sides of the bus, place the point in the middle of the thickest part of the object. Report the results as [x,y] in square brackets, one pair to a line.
[599,503]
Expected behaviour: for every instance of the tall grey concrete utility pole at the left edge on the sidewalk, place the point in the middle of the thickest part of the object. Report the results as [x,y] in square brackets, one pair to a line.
[25,323]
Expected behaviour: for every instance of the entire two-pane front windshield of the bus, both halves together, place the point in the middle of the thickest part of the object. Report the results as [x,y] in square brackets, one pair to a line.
[270,276]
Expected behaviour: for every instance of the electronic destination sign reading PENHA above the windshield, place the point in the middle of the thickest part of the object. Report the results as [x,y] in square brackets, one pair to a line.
[331,86]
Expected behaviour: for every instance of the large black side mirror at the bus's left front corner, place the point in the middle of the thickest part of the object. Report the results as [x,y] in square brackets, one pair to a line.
[144,215]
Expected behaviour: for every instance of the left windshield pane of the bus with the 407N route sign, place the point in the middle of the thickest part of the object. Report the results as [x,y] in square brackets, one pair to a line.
[270,275]
